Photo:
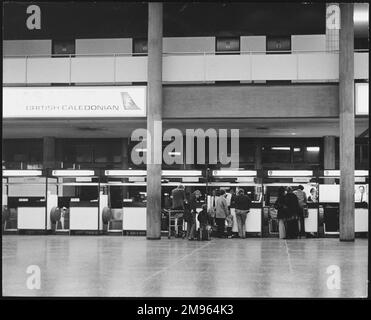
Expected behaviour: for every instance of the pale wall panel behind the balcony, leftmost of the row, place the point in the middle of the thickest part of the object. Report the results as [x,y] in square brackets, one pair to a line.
[27,47]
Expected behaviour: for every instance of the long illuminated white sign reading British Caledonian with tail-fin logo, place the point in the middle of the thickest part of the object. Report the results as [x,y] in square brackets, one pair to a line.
[74,102]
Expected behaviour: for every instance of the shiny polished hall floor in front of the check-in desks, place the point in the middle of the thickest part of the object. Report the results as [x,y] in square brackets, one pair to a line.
[132,266]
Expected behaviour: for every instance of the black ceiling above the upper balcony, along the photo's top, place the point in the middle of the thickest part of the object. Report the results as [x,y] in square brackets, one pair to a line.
[118,19]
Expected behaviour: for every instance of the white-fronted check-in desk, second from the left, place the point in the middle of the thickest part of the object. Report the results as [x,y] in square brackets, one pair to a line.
[84,215]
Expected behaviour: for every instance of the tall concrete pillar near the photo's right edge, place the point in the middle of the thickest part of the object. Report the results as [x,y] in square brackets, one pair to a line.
[347,137]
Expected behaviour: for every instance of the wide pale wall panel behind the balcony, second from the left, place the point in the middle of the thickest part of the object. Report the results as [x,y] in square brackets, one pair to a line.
[104,46]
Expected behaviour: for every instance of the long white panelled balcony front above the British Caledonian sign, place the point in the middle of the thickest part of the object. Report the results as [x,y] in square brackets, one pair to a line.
[184,67]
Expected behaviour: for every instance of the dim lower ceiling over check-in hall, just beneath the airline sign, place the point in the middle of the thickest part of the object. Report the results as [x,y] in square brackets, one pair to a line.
[113,128]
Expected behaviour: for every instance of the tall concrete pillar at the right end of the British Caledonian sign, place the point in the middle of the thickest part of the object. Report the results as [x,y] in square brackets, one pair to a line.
[154,117]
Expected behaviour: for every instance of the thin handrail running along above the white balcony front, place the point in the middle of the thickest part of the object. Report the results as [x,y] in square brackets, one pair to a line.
[130,54]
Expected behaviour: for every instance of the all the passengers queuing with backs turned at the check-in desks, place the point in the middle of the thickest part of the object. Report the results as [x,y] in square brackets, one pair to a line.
[291,207]
